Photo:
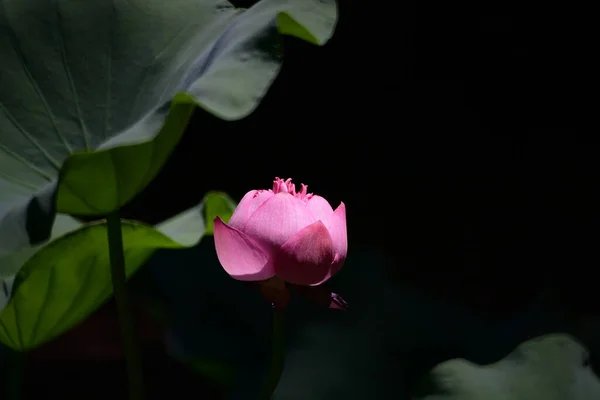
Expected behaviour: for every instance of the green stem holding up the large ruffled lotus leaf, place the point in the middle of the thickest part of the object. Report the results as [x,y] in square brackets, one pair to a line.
[126,321]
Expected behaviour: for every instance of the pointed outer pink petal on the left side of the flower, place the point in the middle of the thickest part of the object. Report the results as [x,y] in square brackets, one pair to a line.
[240,255]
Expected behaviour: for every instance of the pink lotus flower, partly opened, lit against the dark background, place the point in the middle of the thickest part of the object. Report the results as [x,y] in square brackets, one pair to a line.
[294,236]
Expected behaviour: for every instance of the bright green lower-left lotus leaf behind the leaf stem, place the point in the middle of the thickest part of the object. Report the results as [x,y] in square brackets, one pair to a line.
[67,279]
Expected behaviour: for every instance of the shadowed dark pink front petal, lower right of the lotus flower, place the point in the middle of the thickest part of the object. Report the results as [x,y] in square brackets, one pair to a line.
[306,258]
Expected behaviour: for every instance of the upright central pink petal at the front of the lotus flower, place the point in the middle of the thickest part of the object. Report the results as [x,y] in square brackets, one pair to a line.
[280,217]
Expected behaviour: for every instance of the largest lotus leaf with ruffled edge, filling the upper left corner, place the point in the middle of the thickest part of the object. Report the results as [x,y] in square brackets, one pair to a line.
[95,94]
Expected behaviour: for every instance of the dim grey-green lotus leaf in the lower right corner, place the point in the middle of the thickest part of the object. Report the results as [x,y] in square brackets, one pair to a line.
[550,367]
